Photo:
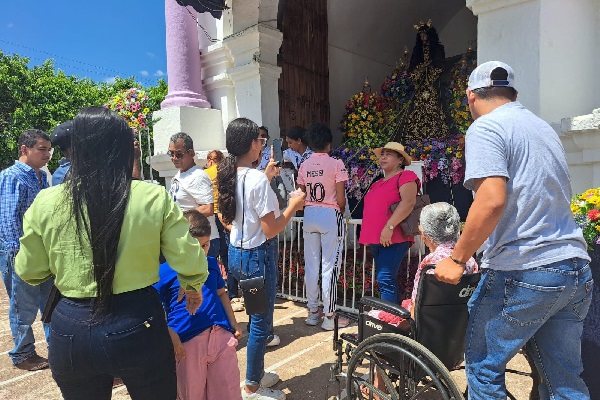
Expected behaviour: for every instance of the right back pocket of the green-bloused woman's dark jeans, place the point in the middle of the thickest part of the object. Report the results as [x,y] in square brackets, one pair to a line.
[133,346]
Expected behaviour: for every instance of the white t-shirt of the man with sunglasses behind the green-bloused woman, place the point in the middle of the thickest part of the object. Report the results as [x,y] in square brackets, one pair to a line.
[192,188]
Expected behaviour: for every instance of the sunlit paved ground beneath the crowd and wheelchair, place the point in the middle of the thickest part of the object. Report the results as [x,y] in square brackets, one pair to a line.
[302,360]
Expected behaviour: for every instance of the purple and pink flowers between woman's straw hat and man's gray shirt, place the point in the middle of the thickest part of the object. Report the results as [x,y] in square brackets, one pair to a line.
[444,158]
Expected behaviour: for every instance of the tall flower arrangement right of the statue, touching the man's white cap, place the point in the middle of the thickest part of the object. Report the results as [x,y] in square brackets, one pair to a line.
[458,106]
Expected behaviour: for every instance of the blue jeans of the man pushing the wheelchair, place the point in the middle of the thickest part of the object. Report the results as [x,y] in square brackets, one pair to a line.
[542,307]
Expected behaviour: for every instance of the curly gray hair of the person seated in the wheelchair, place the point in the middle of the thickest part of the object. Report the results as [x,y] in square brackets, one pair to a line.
[441,222]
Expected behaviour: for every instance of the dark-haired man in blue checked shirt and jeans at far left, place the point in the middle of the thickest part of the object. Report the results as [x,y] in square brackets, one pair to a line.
[19,184]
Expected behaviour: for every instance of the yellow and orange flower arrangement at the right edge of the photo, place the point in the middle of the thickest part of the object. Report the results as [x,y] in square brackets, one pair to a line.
[586,209]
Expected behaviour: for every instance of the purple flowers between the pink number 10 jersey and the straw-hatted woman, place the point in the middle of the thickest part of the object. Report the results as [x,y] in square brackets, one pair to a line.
[362,167]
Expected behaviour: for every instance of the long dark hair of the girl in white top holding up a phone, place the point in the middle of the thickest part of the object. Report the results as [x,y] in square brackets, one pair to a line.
[238,140]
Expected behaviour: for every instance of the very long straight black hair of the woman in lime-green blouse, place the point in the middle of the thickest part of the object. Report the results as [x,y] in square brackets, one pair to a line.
[98,189]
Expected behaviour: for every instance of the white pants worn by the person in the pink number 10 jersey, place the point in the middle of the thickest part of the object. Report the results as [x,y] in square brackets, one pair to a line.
[323,243]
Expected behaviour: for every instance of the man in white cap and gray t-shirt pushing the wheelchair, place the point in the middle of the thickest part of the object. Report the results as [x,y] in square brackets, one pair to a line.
[536,283]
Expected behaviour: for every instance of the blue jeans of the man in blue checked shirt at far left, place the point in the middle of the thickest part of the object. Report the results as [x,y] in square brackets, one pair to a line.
[24,302]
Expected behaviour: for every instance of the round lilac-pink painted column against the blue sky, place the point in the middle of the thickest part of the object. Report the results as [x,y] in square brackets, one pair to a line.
[183,59]
